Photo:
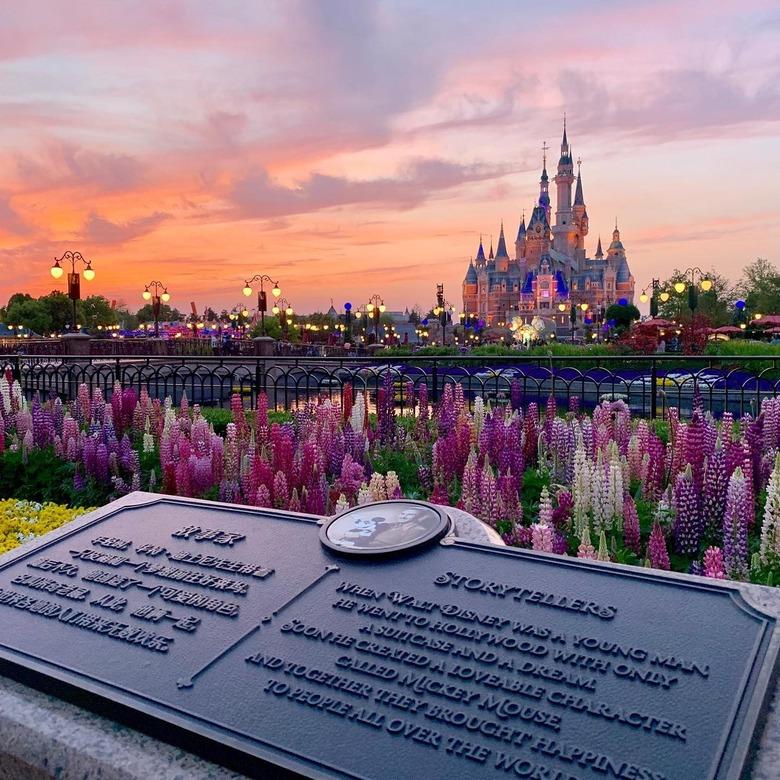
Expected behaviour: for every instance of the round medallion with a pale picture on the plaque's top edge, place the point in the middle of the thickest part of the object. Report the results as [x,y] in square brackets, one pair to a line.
[384,527]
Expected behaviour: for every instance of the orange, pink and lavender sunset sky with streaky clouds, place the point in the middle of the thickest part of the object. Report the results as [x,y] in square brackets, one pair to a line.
[351,148]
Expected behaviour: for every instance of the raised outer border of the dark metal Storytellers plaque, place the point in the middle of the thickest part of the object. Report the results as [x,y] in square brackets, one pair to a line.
[226,745]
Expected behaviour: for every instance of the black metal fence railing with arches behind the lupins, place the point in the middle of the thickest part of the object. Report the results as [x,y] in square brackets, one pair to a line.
[649,385]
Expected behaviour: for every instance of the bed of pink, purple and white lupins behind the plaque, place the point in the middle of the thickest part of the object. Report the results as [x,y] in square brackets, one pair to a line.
[699,495]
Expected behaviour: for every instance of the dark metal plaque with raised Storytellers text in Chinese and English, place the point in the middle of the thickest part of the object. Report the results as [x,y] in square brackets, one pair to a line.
[245,636]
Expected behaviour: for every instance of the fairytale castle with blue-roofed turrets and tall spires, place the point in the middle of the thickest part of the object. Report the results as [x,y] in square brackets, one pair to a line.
[550,271]
